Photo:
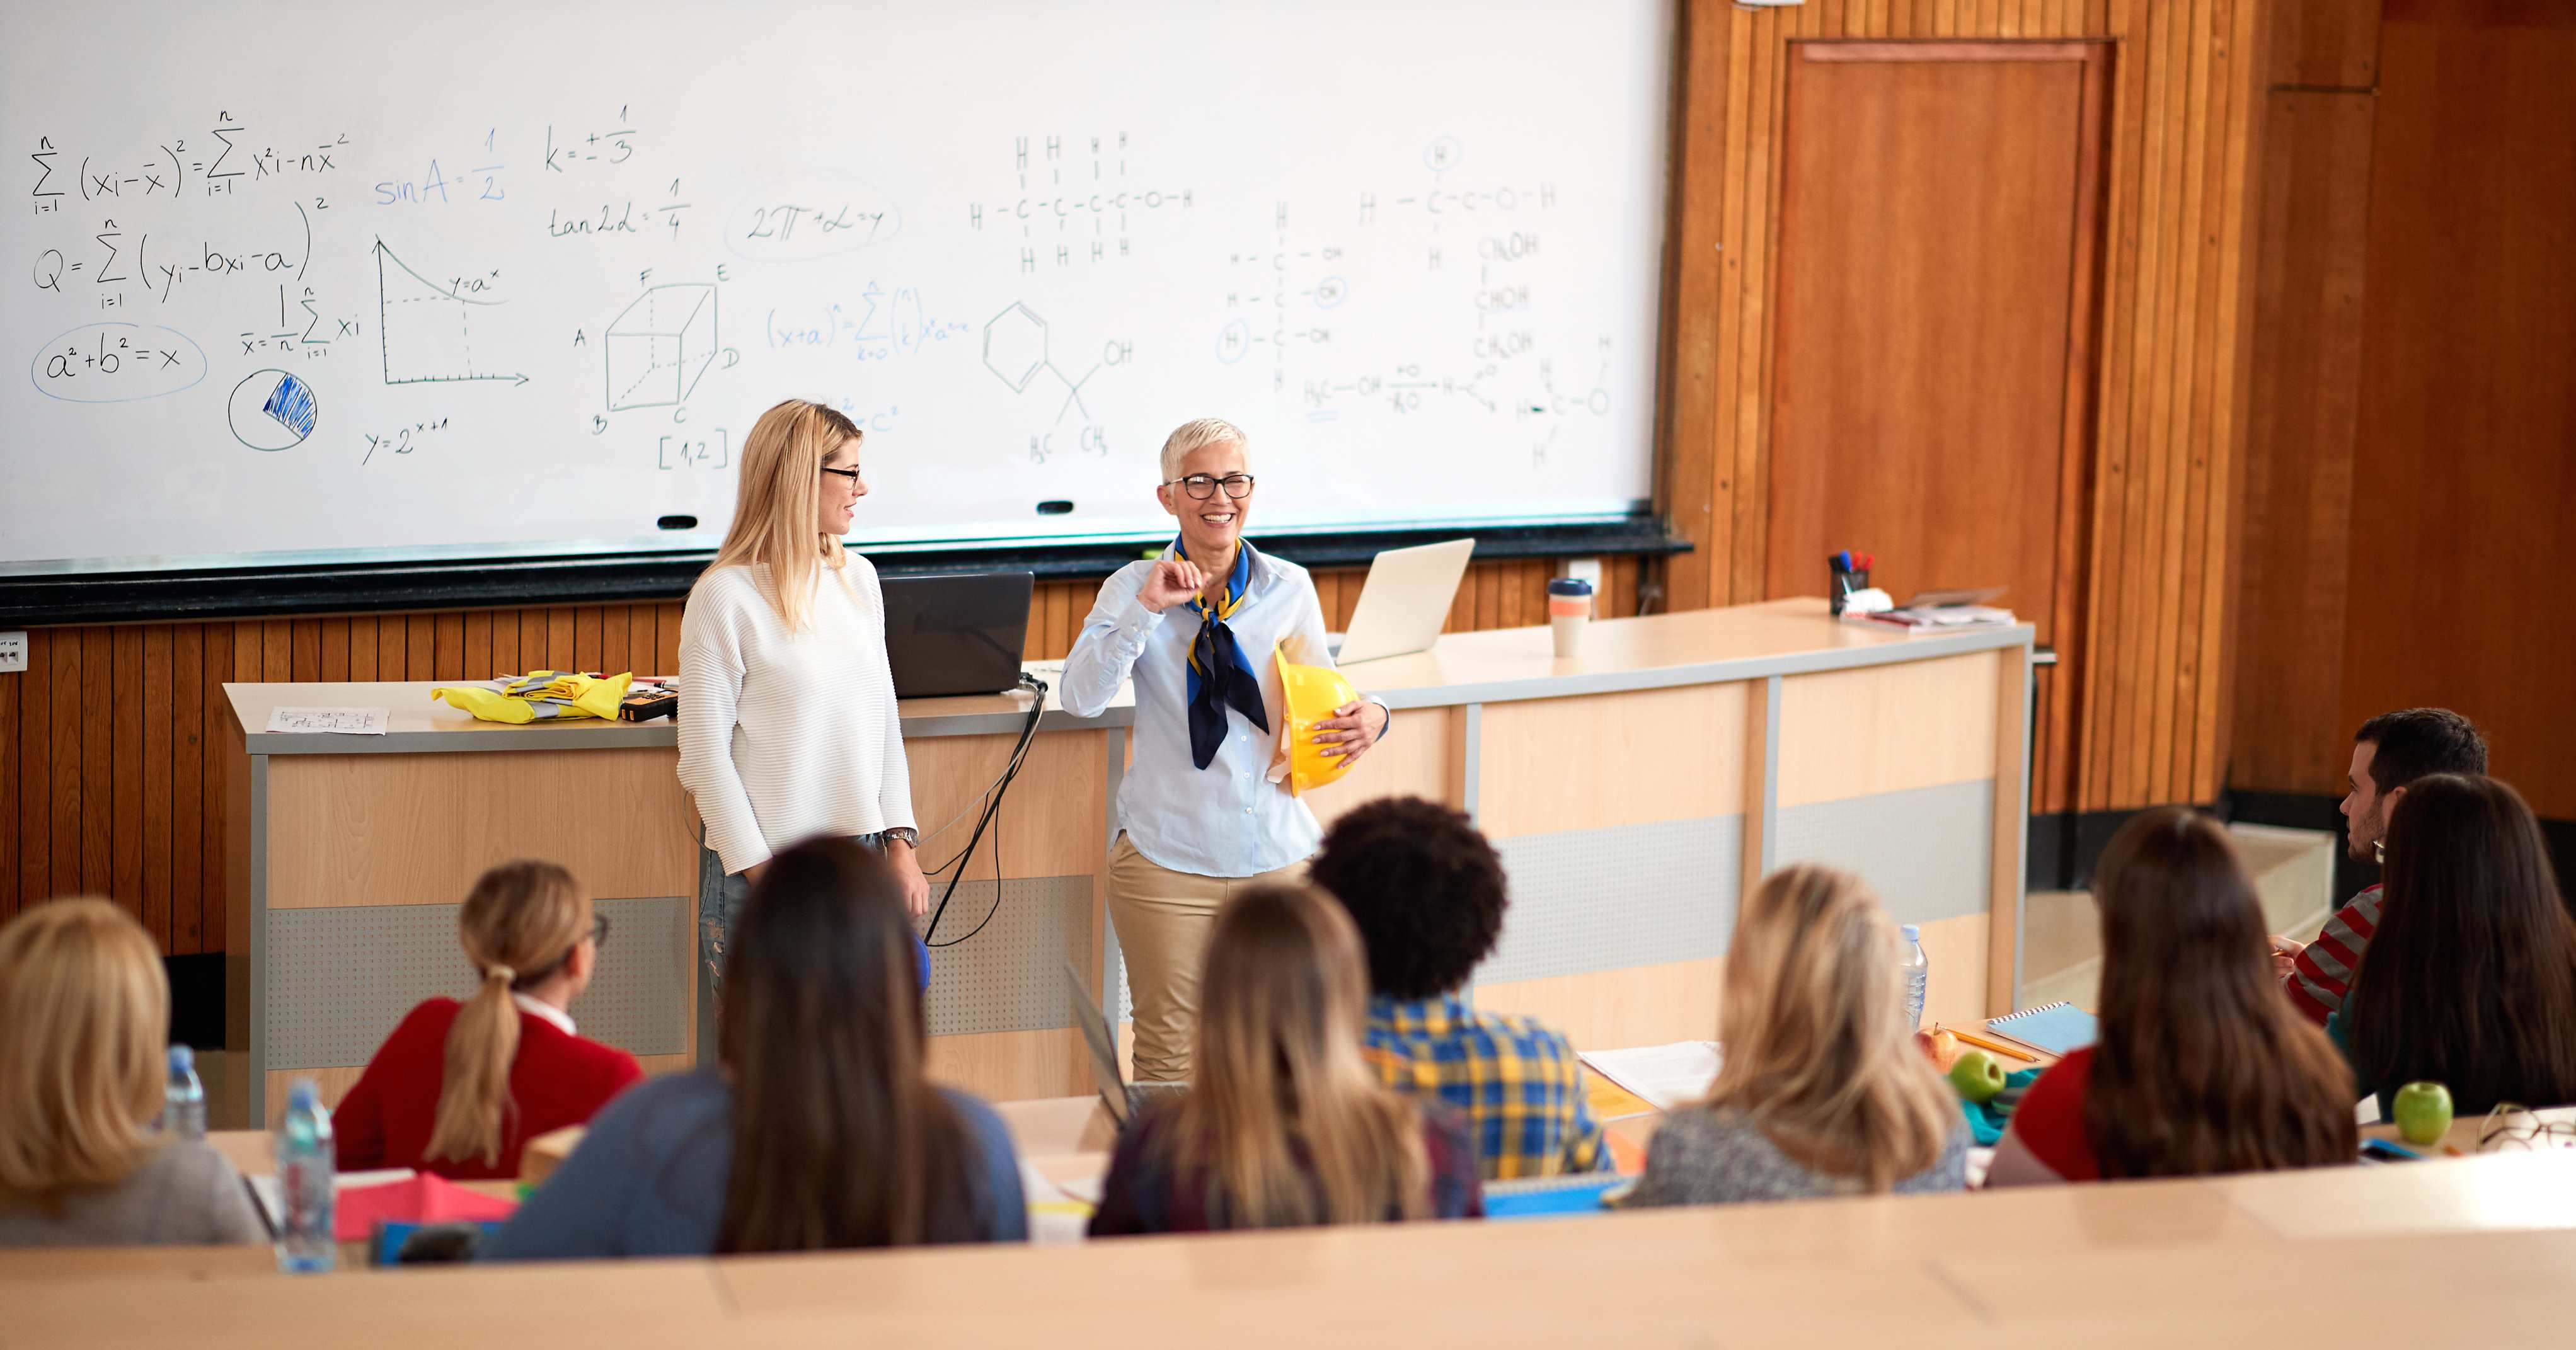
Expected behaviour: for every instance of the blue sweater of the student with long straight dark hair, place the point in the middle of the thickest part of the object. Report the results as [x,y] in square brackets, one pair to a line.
[650,1179]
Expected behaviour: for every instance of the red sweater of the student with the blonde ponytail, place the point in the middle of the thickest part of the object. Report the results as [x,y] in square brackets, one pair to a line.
[558,1081]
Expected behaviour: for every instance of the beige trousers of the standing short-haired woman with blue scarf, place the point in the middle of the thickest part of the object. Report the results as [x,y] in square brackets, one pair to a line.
[1163,931]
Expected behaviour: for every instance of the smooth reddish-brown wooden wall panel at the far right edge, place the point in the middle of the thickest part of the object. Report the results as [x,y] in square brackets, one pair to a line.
[2467,447]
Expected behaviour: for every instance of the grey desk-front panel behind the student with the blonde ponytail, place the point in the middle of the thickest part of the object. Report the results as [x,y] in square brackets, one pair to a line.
[341,980]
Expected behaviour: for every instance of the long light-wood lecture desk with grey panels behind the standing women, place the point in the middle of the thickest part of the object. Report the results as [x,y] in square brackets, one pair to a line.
[1634,795]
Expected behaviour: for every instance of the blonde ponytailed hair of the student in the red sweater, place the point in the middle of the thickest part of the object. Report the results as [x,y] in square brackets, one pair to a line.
[519,918]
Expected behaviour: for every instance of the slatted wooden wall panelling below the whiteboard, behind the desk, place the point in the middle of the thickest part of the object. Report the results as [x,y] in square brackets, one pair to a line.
[112,779]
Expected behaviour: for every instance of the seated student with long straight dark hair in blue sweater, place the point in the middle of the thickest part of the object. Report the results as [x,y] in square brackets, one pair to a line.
[818,1127]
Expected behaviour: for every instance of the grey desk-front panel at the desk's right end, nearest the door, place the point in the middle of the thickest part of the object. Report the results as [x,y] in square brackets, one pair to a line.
[1926,851]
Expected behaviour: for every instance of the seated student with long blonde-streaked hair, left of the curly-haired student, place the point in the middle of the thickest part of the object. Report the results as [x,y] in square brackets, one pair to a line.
[1284,1125]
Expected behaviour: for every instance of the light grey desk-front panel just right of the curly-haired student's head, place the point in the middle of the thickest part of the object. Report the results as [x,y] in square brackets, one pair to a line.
[1624,895]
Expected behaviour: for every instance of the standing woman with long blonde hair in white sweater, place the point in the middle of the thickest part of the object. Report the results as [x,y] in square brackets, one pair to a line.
[790,728]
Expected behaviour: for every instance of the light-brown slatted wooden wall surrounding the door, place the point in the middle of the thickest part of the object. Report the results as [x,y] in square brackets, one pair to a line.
[2145,720]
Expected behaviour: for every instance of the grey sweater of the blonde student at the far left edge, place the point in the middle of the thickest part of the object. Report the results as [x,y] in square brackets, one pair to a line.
[184,1194]
